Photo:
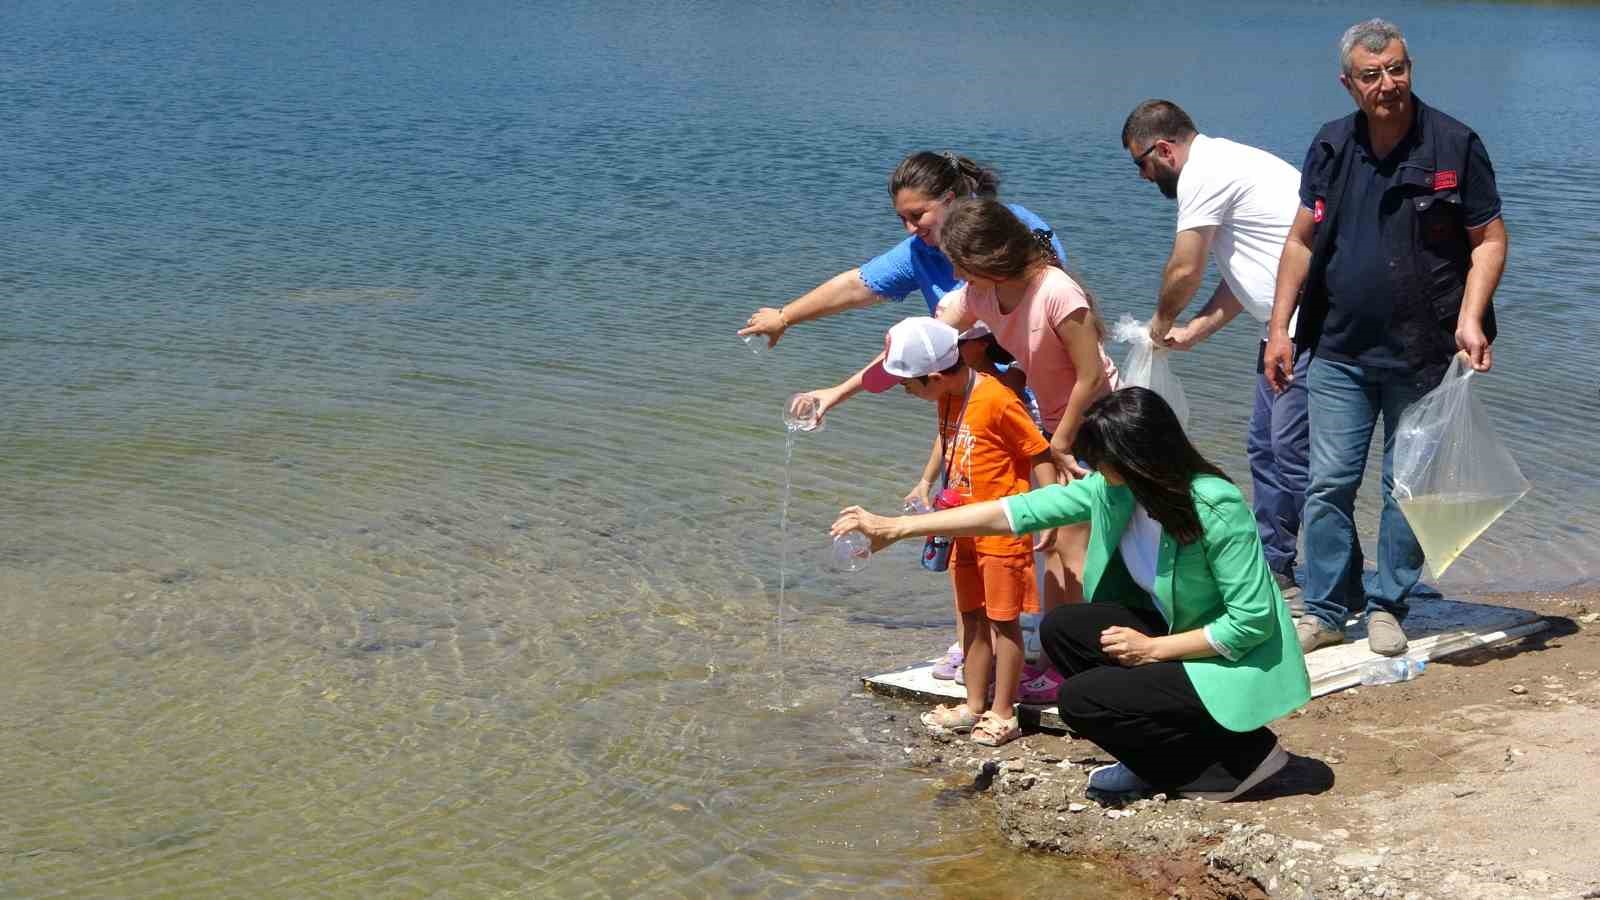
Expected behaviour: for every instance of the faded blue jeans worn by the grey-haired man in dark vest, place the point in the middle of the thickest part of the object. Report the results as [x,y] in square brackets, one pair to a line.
[1346,403]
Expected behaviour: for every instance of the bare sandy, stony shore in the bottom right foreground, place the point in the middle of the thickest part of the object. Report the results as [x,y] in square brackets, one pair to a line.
[1476,781]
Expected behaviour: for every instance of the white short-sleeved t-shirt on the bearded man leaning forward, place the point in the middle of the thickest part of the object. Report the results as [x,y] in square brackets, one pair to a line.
[1252,198]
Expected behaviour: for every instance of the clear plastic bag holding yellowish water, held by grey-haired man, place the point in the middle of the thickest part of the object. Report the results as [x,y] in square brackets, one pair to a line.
[1454,475]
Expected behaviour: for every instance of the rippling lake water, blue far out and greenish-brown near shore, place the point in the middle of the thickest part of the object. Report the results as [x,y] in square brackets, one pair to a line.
[390,508]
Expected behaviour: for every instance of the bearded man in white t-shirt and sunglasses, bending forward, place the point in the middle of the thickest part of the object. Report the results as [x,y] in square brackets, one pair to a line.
[1234,204]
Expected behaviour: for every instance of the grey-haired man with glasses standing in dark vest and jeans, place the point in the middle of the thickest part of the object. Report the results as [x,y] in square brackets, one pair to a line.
[1399,247]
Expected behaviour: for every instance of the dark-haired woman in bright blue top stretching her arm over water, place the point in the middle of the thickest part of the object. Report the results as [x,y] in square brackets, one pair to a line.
[922,188]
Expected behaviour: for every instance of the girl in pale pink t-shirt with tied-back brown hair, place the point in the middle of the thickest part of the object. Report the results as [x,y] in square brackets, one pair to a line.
[1050,324]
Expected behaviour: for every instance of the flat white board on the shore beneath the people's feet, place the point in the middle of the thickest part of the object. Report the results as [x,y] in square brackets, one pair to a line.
[1438,629]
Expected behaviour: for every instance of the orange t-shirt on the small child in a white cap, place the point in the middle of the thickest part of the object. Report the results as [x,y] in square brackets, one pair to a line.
[990,448]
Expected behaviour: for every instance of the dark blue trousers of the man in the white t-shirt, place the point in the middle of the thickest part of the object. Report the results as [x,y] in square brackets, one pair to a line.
[1279,470]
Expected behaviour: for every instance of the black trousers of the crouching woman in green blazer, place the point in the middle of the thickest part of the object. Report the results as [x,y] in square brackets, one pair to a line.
[1148,717]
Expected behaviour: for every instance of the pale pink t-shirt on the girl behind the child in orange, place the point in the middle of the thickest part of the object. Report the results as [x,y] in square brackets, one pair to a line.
[1030,334]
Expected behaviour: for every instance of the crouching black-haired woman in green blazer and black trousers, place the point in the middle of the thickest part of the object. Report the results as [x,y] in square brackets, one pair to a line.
[1185,649]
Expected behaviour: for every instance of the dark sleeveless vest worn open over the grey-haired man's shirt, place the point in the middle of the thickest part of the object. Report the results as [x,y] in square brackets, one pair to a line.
[1438,257]
